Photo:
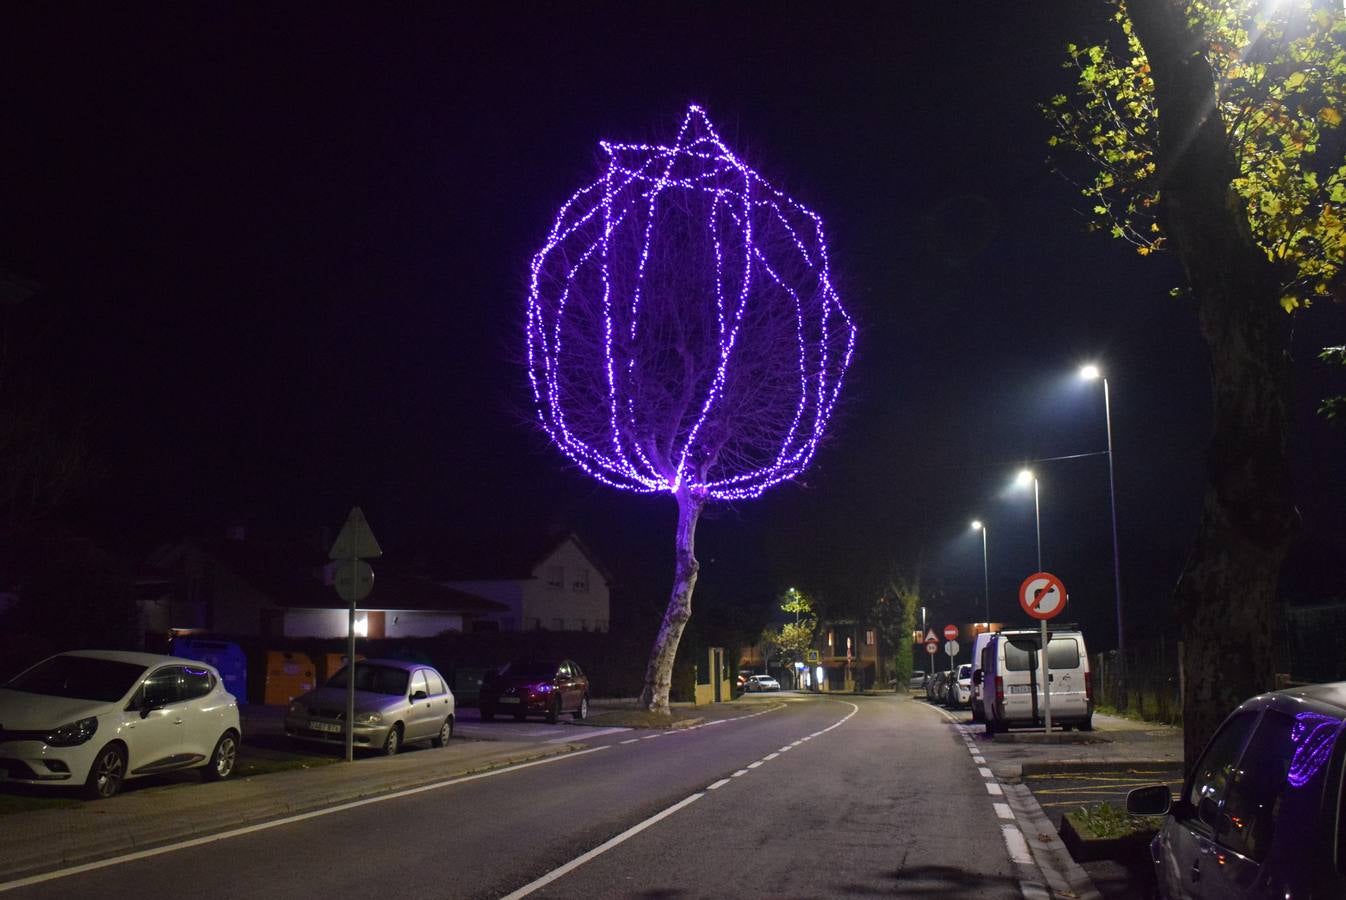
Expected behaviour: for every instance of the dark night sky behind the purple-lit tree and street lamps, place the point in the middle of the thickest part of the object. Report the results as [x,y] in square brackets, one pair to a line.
[285,255]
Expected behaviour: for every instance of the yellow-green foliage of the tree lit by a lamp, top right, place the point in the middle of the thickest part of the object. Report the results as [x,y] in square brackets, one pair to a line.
[1281,81]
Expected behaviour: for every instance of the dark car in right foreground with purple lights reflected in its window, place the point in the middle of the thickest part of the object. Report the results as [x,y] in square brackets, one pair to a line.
[1262,813]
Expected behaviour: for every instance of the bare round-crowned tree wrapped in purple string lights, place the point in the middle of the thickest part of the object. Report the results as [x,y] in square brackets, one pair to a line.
[684,337]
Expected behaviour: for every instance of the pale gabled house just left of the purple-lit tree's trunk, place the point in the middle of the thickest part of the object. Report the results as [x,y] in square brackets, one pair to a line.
[544,582]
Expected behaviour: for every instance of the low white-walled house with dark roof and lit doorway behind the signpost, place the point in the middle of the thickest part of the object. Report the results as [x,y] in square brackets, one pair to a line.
[285,590]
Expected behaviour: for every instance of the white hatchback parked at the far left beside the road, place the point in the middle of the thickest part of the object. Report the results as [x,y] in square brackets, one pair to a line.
[98,718]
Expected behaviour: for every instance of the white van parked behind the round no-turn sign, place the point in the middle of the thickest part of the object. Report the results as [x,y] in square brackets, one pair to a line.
[1012,679]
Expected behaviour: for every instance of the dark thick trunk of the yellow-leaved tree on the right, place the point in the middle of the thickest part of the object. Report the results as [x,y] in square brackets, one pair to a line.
[1227,594]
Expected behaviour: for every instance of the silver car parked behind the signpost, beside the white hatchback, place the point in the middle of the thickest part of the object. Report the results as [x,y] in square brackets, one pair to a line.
[396,703]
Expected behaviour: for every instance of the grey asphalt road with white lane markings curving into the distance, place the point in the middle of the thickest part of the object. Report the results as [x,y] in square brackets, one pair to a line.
[812,797]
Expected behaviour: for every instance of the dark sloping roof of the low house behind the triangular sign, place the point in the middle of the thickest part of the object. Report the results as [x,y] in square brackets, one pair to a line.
[298,575]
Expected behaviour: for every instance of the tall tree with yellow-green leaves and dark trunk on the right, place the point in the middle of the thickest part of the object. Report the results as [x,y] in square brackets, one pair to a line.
[1212,128]
